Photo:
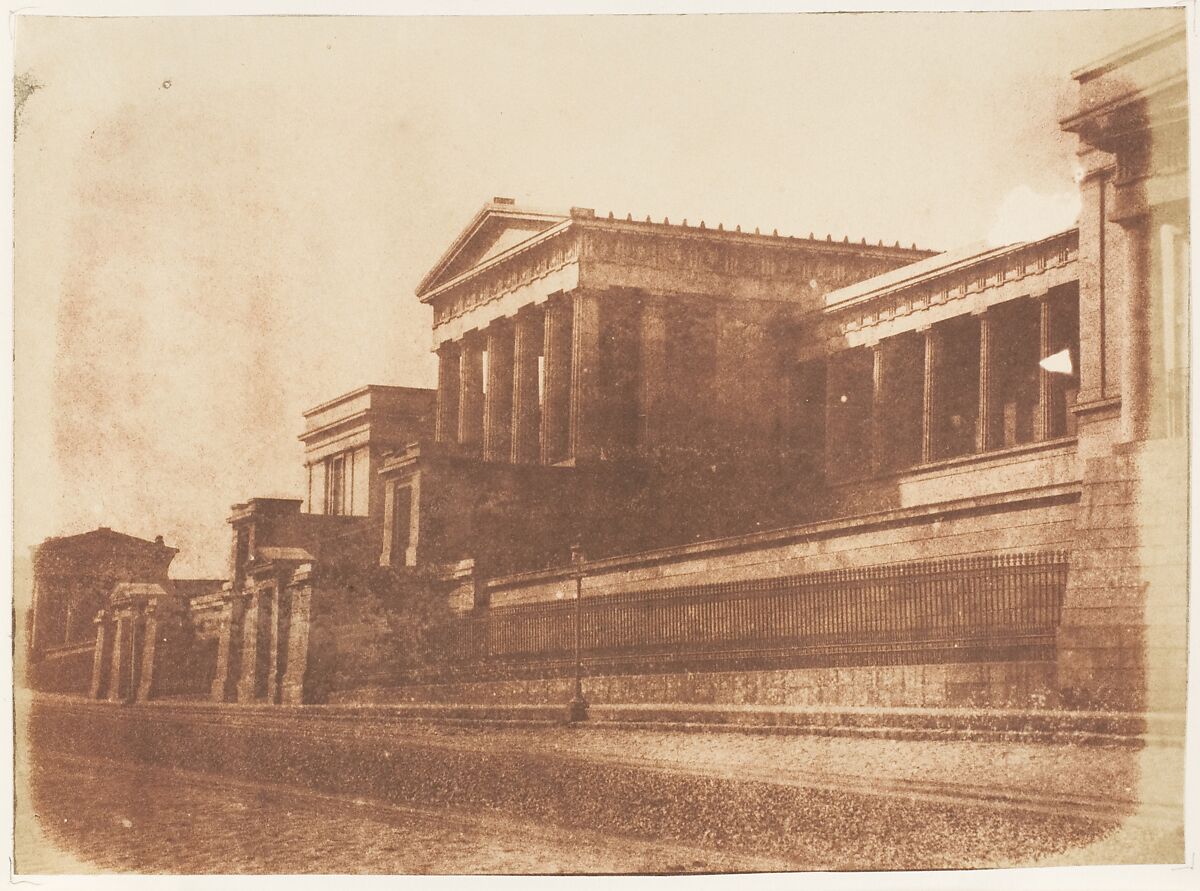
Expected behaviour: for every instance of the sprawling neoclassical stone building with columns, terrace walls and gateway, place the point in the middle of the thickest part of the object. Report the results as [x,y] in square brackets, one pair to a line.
[803,471]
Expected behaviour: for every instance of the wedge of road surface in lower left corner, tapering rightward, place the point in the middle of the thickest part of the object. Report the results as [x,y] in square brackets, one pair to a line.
[100,816]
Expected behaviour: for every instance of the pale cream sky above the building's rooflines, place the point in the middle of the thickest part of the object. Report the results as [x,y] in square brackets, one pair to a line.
[221,222]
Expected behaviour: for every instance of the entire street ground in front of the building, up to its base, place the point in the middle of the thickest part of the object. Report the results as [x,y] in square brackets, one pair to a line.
[627,799]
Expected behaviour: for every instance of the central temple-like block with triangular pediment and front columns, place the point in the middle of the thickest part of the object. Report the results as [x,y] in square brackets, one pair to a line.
[585,343]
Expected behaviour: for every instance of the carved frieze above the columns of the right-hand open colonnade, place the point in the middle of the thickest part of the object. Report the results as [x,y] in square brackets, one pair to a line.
[1031,260]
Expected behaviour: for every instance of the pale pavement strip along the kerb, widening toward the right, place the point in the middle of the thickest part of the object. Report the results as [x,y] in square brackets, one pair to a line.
[1048,778]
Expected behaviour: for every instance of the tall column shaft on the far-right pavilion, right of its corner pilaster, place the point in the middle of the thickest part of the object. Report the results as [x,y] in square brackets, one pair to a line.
[1136,378]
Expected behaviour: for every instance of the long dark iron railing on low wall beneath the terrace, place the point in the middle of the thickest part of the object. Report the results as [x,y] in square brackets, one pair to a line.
[993,605]
